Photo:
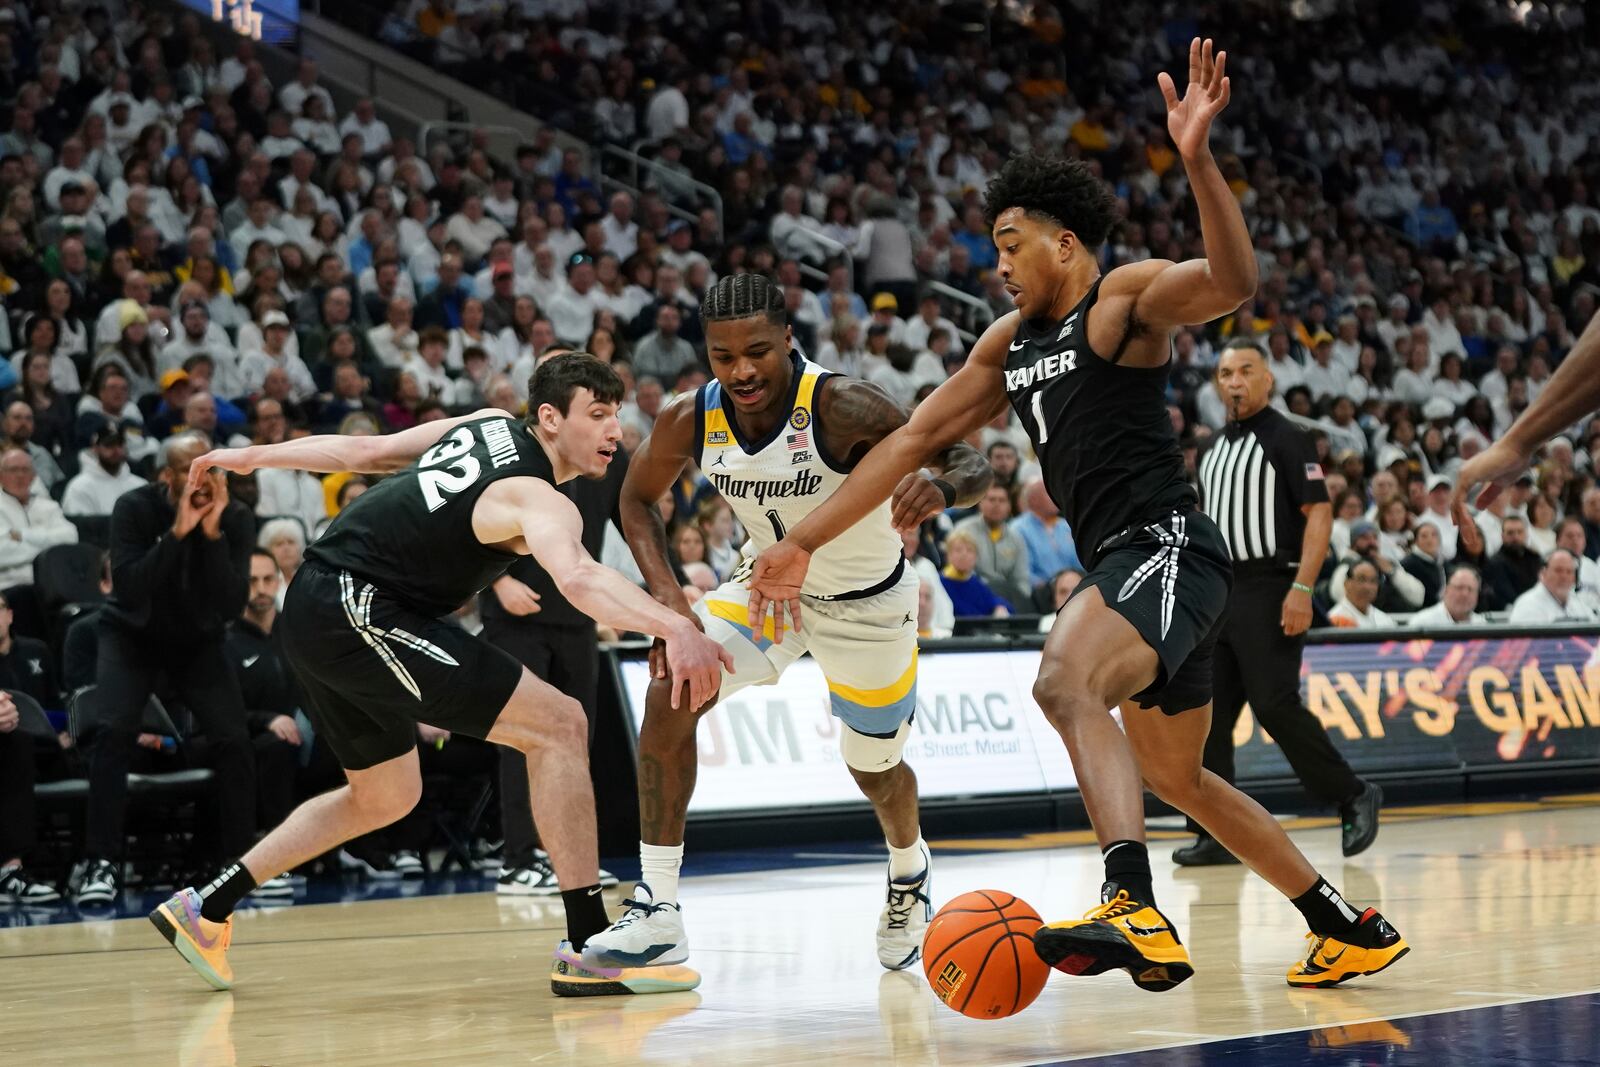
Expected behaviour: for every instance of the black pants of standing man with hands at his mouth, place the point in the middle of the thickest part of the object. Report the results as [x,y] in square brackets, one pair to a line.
[204,679]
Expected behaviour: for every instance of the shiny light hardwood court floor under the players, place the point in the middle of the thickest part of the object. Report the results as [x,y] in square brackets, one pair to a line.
[1500,909]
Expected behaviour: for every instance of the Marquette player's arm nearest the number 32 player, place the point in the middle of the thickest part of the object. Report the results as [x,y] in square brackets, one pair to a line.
[650,474]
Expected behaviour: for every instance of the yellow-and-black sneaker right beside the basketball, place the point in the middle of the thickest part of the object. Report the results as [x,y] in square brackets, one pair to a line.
[1121,933]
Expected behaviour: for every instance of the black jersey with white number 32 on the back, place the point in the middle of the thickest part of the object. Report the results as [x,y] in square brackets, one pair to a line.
[412,535]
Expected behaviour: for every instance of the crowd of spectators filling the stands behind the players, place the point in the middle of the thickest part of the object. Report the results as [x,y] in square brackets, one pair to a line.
[190,247]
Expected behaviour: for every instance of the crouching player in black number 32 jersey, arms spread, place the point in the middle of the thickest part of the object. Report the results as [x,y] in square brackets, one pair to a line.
[362,628]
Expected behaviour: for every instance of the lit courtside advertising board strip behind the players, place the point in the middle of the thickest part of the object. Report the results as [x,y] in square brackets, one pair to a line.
[1388,705]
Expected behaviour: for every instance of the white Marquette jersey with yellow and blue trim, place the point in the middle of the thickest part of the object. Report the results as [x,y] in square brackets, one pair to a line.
[775,482]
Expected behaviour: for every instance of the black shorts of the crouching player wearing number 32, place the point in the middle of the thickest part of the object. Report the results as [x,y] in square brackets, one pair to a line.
[372,668]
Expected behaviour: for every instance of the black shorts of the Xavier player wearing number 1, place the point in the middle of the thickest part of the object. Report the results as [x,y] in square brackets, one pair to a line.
[1170,578]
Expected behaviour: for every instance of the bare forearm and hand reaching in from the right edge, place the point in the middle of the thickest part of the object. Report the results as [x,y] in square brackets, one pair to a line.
[1570,394]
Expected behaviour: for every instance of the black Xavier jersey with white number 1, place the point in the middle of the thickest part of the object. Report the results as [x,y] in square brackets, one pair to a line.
[1102,433]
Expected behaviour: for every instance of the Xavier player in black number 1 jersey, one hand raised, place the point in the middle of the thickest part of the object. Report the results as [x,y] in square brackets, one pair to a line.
[1084,362]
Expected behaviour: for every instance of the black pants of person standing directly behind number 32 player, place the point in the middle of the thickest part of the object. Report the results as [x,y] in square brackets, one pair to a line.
[569,658]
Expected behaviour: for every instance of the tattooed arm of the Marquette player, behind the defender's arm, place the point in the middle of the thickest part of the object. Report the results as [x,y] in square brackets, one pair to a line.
[857,415]
